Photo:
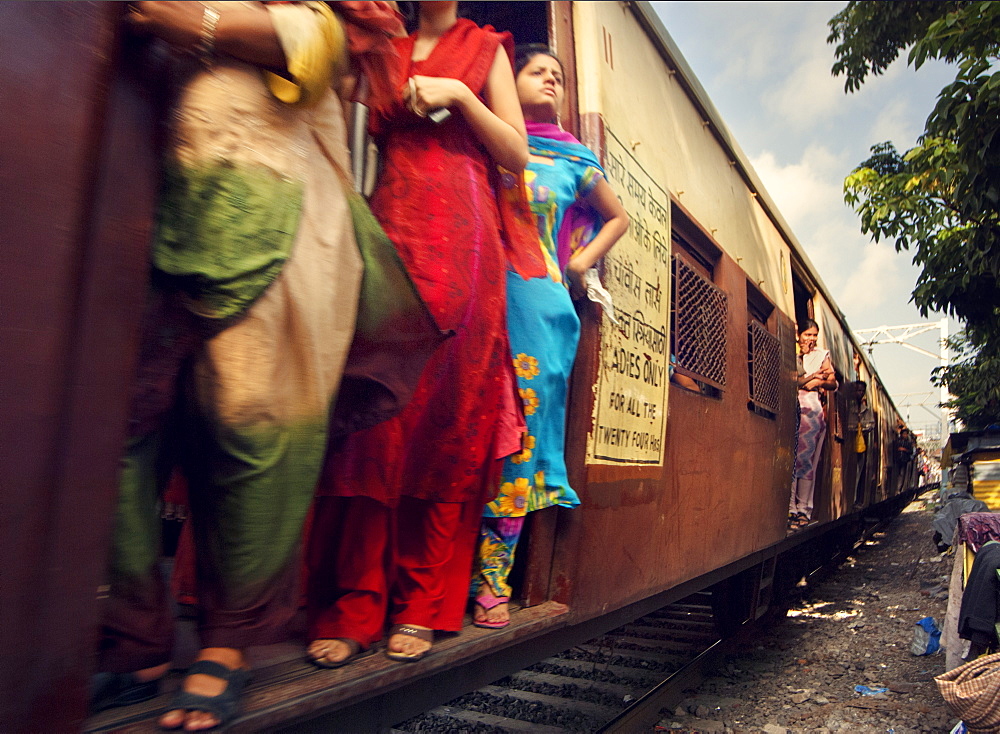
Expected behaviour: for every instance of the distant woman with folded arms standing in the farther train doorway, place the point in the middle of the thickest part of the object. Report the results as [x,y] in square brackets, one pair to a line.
[817,376]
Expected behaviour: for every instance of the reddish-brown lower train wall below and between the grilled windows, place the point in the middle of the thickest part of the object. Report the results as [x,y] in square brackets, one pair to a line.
[721,495]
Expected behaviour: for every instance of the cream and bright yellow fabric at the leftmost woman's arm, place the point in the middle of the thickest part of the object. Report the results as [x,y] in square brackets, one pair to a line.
[315,47]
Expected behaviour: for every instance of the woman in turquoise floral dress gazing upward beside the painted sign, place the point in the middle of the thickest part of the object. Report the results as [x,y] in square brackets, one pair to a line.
[579,219]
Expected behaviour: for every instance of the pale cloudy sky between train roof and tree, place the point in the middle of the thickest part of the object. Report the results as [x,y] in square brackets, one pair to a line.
[766,67]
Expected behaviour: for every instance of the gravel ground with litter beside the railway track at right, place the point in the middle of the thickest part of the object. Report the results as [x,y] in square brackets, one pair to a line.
[852,627]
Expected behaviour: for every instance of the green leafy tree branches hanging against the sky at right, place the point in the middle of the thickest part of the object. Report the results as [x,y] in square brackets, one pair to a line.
[941,198]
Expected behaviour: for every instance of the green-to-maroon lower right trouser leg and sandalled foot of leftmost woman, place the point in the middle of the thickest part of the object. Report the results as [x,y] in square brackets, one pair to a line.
[250,491]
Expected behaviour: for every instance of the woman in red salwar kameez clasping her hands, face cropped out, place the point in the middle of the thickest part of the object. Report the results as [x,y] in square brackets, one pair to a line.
[397,507]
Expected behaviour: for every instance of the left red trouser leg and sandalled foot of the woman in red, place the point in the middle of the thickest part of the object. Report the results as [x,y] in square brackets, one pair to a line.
[347,555]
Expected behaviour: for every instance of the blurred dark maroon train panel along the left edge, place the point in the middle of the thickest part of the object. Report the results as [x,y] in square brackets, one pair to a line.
[76,187]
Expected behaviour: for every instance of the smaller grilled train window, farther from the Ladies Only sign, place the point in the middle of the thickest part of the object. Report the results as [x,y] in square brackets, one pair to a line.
[763,355]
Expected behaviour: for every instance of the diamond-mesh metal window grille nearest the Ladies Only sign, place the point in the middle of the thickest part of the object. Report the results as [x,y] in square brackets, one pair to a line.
[700,309]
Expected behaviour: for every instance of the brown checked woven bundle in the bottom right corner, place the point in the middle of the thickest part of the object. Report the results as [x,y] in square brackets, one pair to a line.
[972,692]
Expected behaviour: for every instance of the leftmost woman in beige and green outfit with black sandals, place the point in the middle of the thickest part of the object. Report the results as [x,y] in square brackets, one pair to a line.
[250,314]
